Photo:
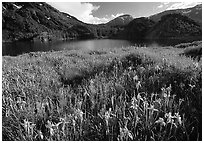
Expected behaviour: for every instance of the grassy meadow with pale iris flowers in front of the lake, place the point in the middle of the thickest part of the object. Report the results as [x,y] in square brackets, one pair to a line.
[125,94]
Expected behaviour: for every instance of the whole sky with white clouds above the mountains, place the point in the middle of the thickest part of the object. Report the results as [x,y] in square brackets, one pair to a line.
[102,12]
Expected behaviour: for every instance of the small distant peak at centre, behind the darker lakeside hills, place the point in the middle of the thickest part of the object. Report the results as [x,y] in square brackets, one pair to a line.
[120,20]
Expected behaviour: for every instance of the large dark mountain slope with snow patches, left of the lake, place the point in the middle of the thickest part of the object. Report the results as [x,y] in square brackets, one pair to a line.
[27,20]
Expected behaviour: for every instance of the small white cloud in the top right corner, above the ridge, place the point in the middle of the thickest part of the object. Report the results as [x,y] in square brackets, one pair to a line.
[182,5]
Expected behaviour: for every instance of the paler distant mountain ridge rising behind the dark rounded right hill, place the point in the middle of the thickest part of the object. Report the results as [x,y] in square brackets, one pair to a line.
[194,13]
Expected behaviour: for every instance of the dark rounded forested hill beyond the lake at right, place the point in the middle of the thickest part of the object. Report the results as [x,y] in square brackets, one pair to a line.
[175,26]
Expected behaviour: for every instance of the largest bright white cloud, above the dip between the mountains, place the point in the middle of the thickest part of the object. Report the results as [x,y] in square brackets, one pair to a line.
[82,11]
